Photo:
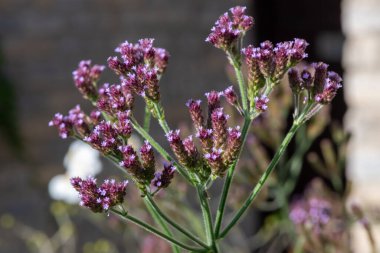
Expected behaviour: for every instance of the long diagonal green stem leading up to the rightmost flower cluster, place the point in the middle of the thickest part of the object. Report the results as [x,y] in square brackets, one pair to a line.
[262,179]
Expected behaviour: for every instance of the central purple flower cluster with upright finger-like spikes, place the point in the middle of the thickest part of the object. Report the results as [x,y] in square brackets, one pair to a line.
[220,144]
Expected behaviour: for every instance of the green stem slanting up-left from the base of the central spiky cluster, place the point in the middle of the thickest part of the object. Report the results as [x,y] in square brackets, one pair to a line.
[159,149]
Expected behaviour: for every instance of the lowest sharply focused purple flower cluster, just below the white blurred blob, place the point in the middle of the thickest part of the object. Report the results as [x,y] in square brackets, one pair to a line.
[99,198]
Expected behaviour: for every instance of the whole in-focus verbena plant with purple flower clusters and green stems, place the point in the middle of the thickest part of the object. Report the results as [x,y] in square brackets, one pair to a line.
[214,152]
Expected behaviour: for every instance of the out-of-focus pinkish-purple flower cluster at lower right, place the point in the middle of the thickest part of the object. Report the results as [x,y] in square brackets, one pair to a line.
[314,213]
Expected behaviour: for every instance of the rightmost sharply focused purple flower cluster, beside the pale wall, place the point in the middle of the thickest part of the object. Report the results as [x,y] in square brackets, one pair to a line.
[321,84]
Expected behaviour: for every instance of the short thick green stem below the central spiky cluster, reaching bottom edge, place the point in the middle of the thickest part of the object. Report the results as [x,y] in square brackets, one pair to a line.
[207,218]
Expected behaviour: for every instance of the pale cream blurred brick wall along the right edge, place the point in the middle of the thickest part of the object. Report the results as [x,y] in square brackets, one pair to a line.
[361,23]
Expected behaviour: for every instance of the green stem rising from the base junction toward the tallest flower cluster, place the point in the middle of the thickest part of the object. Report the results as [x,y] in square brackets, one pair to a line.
[227,183]
